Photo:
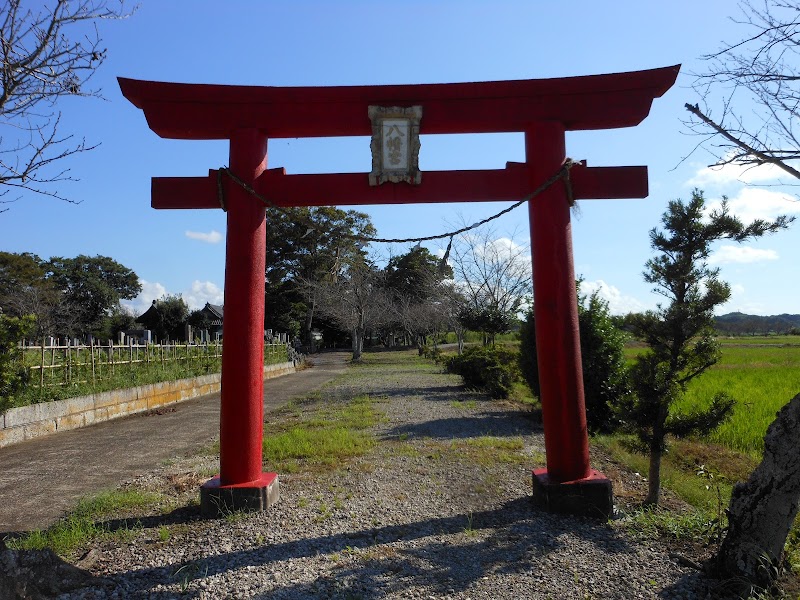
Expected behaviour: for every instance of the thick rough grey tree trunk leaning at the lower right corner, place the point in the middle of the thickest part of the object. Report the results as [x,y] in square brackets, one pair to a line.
[763,509]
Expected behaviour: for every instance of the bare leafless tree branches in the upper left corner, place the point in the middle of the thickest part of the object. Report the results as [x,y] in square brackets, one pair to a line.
[47,53]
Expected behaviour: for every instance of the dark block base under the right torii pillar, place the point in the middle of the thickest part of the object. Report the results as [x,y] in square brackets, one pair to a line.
[589,497]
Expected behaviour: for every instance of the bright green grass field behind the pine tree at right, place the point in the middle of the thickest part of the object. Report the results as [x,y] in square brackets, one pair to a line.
[762,374]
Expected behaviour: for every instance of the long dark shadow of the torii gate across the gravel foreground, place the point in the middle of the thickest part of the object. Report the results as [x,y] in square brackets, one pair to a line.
[521,539]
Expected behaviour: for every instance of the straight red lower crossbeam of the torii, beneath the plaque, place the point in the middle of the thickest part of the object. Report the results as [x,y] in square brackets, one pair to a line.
[353,189]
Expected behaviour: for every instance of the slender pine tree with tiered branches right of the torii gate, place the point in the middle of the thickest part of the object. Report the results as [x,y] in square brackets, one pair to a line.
[680,335]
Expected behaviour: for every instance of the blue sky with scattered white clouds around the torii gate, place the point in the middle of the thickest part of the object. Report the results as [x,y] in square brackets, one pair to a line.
[375,42]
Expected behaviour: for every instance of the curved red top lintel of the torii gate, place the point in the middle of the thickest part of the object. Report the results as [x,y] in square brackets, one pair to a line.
[201,111]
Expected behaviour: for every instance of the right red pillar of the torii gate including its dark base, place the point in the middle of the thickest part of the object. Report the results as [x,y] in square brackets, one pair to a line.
[568,484]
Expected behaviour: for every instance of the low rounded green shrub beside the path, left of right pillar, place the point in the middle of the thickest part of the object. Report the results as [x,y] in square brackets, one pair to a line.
[493,370]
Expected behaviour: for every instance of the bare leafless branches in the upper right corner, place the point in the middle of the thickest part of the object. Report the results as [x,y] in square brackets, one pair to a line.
[751,90]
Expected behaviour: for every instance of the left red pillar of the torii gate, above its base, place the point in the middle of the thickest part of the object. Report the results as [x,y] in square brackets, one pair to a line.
[242,385]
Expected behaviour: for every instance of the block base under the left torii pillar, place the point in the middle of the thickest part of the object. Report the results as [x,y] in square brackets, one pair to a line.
[218,500]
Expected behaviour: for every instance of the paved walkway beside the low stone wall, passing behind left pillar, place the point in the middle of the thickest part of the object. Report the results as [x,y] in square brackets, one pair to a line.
[43,478]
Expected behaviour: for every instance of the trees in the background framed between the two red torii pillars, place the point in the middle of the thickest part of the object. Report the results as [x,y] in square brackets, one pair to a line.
[321,280]
